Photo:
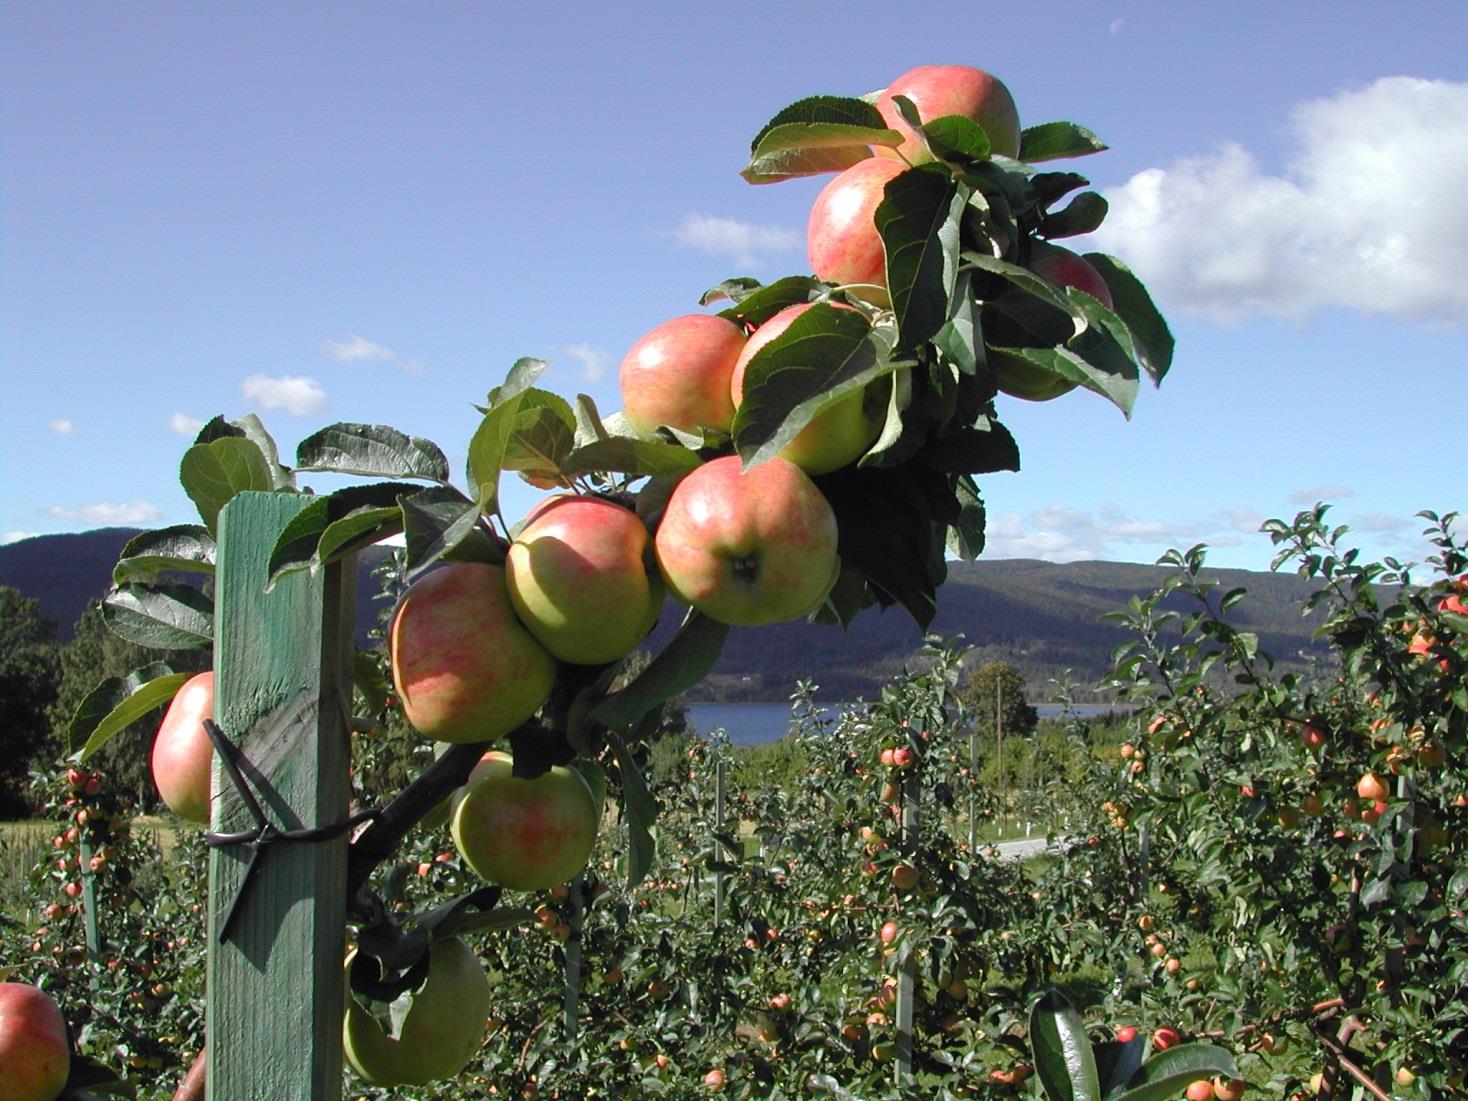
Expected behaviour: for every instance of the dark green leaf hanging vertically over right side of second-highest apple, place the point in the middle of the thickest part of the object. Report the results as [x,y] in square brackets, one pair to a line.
[918,221]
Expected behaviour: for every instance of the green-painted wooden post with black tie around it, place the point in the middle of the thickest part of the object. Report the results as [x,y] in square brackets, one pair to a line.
[283,664]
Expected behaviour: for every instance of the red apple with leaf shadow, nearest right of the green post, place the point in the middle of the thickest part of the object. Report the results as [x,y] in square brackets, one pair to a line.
[463,664]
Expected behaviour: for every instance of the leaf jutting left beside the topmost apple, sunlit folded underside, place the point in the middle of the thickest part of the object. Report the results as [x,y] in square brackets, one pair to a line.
[818,134]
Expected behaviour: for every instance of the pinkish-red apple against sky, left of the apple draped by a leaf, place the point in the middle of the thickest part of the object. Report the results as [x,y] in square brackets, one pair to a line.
[679,375]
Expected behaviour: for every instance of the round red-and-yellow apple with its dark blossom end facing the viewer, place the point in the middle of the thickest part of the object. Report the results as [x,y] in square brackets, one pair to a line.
[748,548]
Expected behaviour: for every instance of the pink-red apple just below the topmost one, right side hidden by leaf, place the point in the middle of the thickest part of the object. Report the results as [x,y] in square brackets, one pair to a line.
[842,239]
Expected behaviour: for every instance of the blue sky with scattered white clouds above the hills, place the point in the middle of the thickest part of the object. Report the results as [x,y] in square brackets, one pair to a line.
[369,212]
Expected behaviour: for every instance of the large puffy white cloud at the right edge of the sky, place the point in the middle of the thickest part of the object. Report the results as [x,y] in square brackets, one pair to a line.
[1367,217]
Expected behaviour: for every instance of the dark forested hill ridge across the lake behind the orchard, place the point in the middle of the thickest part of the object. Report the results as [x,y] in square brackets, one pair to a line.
[1043,617]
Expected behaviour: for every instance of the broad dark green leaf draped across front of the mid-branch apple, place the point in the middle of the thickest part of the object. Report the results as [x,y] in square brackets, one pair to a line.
[826,356]
